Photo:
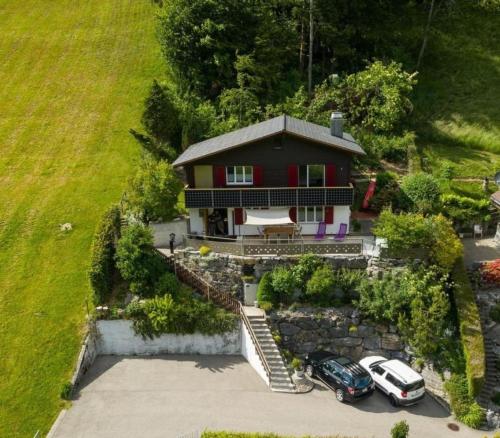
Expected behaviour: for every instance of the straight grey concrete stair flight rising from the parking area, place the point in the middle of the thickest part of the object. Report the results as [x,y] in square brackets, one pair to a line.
[280,380]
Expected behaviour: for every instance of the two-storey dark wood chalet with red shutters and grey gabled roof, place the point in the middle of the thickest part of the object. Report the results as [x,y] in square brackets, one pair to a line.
[282,170]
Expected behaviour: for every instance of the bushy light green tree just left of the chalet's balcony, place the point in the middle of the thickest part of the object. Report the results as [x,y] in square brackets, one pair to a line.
[154,191]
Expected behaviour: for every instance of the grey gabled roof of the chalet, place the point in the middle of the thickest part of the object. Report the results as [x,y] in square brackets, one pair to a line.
[268,128]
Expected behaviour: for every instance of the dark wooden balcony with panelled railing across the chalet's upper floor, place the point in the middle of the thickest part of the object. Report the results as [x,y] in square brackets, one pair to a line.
[269,197]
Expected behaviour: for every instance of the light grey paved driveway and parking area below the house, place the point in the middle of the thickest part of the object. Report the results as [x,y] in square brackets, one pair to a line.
[171,396]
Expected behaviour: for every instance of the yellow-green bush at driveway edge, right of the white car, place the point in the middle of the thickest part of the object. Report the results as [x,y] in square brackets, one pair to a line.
[462,403]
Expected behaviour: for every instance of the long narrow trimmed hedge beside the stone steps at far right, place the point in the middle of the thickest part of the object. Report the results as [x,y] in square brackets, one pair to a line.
[470,329]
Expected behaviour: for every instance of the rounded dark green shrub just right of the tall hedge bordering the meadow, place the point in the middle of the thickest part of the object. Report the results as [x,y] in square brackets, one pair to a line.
[138,261]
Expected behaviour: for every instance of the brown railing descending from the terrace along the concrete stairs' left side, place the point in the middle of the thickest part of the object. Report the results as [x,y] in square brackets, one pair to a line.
[224,299]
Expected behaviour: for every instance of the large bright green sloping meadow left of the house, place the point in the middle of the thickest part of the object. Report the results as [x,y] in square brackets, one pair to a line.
[73,77]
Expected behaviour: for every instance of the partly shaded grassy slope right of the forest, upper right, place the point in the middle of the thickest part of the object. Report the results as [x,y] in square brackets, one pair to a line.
[457,98]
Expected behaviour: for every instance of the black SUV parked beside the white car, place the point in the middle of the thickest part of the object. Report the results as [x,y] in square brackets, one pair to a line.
[348,379]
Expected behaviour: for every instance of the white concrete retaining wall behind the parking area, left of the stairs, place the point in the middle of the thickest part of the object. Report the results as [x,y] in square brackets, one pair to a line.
[118,337]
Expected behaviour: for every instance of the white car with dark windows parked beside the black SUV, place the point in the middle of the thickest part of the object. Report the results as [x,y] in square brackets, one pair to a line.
[401,383]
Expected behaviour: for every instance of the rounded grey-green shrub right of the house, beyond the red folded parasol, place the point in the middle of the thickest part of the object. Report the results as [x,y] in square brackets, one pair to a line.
[422,190]
